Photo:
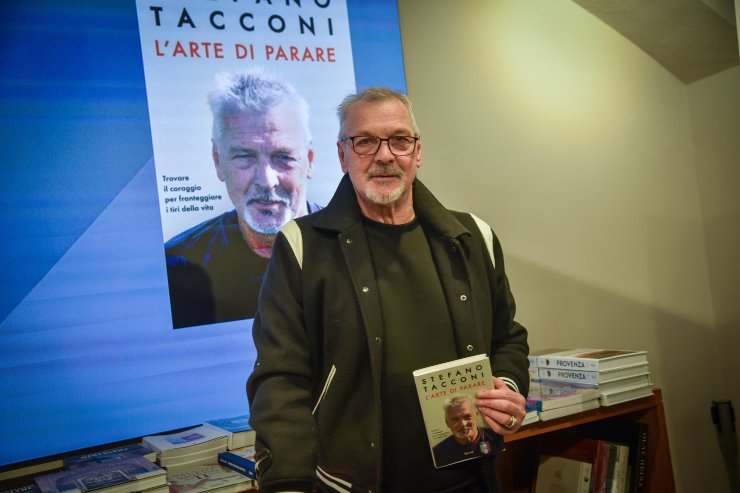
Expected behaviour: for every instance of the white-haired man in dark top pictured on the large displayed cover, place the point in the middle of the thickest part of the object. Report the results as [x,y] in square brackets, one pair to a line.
[262,151]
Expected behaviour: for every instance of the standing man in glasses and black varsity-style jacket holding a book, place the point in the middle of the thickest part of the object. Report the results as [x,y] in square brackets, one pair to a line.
[381,282]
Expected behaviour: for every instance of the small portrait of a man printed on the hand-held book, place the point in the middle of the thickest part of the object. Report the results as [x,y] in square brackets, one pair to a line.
[467,440]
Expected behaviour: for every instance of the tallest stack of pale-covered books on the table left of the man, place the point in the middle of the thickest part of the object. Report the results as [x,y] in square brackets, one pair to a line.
[196,446]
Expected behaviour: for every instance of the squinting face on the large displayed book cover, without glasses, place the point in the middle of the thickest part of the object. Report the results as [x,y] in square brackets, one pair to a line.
[265,161]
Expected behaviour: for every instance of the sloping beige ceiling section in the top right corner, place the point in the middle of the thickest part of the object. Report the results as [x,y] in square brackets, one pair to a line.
[692,39]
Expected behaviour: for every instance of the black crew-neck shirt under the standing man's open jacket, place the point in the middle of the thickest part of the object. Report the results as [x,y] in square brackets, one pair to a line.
[417,333]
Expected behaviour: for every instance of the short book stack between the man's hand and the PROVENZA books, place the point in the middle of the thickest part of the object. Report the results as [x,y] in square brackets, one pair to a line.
[558,400]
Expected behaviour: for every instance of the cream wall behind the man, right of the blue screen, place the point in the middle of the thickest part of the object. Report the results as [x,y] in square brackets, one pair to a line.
[579,149]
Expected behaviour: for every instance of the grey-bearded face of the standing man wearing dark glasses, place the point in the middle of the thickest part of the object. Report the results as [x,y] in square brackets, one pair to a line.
[382,178]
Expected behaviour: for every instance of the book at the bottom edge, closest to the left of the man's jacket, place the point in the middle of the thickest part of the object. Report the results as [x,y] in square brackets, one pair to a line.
[213,478]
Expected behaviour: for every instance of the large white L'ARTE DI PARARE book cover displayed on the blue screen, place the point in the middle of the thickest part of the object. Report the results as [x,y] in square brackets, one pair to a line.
[242,100]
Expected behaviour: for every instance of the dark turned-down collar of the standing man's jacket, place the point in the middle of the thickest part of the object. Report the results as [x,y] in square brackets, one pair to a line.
[343,211]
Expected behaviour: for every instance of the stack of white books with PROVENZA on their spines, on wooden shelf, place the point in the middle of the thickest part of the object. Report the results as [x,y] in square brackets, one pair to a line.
[620,375]
